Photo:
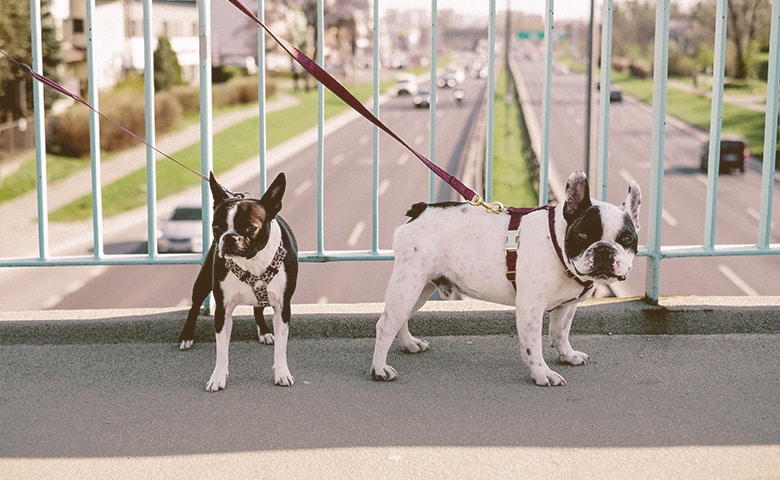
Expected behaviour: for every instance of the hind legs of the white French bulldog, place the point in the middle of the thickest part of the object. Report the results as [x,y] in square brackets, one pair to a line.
[402,299]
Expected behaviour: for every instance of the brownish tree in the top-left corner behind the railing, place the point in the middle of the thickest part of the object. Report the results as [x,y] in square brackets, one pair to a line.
[16,86]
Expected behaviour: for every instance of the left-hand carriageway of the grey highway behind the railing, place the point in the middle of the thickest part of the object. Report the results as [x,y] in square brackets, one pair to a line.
[347,210]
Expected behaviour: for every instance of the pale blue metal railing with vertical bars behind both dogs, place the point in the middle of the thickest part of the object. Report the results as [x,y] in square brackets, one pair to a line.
[653,249]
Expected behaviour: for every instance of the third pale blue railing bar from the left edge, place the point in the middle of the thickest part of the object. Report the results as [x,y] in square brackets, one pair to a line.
[151,170]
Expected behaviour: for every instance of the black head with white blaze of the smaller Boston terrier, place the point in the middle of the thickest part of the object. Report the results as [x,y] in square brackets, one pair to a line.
[241,227]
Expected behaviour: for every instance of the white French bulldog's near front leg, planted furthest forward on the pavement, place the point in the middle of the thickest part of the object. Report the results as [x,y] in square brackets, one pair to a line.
[529,330]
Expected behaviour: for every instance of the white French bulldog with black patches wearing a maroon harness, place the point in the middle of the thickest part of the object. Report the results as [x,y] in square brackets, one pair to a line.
[544,259]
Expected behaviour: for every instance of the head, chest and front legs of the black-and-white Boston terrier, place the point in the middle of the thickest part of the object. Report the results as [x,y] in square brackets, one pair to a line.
[255,263]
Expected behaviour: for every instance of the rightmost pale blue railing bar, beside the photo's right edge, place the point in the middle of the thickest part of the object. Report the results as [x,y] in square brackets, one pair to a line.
[770,129]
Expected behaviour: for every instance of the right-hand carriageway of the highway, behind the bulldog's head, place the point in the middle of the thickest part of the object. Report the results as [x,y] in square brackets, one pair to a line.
[684,192]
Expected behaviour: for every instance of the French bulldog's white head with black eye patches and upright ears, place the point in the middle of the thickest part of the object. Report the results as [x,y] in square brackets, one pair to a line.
[601,238]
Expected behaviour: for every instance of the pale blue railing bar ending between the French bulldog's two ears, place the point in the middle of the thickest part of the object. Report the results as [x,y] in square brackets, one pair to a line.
[605,85]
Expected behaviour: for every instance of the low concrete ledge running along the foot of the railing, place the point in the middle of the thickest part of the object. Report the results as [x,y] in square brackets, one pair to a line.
[616,316]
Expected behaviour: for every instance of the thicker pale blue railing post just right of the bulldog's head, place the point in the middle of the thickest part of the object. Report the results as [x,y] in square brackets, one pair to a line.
[657,149]
